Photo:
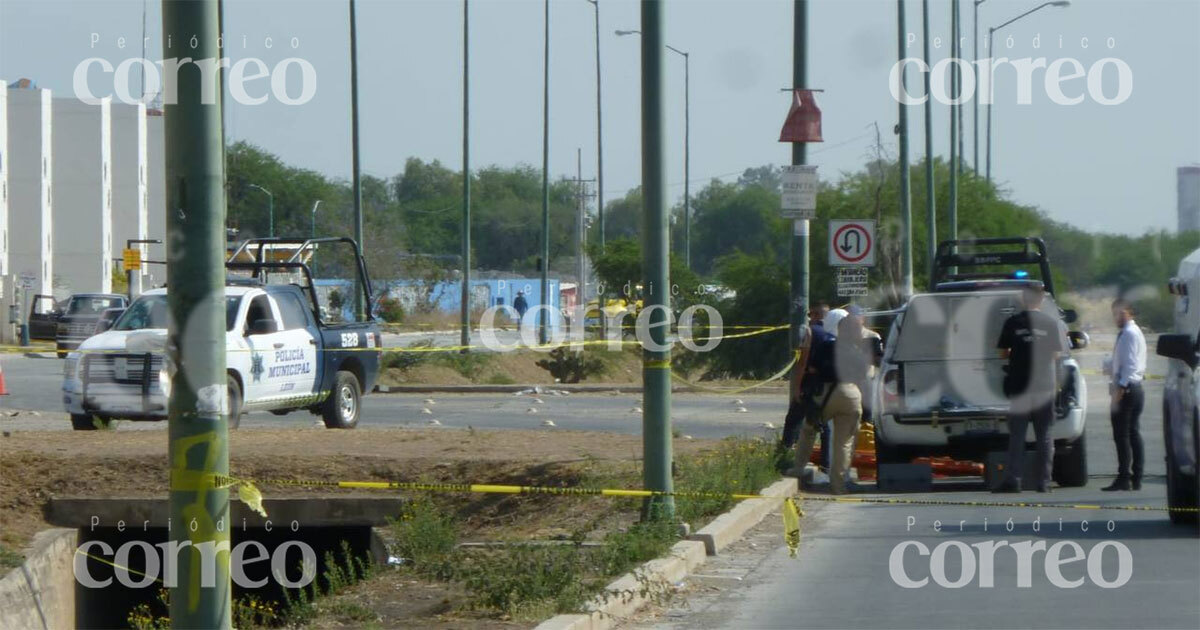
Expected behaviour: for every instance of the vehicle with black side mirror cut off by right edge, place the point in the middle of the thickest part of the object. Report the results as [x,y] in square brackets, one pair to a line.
[1181,394]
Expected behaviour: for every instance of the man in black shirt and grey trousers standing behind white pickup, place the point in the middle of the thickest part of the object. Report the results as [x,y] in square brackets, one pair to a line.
[1031,341]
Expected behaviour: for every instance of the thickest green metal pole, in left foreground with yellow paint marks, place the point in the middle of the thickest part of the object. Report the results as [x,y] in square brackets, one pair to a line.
[197,407]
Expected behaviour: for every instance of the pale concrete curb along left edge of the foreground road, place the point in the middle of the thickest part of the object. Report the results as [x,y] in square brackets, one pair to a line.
[685,557]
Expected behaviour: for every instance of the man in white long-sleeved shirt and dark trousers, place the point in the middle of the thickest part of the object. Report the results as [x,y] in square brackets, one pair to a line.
[1129,370]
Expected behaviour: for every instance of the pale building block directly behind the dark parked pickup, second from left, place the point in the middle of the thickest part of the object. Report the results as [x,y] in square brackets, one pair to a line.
[83,196]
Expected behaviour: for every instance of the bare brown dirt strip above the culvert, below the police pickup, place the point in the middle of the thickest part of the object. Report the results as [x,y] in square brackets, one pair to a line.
[37,466]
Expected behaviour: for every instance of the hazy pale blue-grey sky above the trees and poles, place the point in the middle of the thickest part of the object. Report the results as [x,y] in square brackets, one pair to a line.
[1095,166]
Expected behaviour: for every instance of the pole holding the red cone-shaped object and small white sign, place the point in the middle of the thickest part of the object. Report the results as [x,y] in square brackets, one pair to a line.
[800,302]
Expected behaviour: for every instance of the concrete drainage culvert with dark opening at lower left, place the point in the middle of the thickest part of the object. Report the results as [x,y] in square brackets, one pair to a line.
[45,593]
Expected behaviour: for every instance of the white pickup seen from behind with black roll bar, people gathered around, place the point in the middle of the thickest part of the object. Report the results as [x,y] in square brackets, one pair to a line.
[939,391]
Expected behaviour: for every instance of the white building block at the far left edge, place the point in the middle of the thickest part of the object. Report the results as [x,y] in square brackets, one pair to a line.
[31,179]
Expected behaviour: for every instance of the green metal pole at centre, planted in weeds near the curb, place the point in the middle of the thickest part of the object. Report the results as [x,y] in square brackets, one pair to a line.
[656,271]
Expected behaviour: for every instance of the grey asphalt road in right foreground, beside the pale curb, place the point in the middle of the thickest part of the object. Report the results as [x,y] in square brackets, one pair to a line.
[843,574]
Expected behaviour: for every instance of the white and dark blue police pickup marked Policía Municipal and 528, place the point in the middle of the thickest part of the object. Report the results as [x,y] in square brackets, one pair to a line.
[280,357]
